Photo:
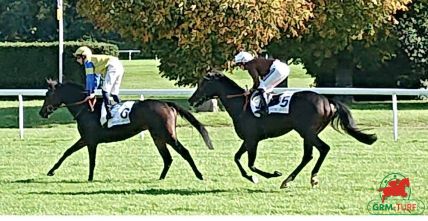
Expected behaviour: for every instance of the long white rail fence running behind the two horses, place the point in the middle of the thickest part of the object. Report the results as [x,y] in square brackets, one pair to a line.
[188,92]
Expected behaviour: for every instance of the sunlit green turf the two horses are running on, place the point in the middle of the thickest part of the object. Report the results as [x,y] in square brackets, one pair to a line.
[126,173]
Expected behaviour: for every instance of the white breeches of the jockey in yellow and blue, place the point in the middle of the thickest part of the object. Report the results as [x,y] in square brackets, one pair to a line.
[113,77]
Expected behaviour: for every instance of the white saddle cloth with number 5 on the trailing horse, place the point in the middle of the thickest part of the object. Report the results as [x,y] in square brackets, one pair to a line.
[277,103]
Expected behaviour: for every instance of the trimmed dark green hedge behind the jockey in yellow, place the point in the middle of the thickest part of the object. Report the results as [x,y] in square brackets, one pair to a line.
[28,65]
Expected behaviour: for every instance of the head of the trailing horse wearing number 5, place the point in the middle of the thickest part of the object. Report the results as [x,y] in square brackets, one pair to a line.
[208,88]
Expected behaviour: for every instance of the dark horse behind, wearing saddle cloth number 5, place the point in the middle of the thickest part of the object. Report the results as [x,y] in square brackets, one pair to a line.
[309,114]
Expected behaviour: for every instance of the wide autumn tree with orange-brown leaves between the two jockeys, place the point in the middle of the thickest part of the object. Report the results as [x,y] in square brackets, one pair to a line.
[192,35]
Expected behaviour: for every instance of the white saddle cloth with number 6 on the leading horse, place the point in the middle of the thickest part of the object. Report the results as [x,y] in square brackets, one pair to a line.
[120,113]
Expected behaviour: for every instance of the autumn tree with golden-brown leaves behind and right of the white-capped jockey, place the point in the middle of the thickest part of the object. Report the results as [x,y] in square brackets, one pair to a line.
[342,36]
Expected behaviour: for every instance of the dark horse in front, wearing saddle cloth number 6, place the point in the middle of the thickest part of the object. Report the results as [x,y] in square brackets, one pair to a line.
[156,116]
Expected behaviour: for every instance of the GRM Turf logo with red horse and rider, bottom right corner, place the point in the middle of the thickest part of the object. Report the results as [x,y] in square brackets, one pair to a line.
[395,197]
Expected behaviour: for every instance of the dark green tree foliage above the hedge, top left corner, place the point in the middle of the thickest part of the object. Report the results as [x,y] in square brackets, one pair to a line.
[36,21]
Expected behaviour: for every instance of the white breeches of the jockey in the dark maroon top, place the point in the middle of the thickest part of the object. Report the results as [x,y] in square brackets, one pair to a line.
[279,71]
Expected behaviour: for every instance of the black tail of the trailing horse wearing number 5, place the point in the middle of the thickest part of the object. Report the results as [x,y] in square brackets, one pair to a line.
[343,117]
